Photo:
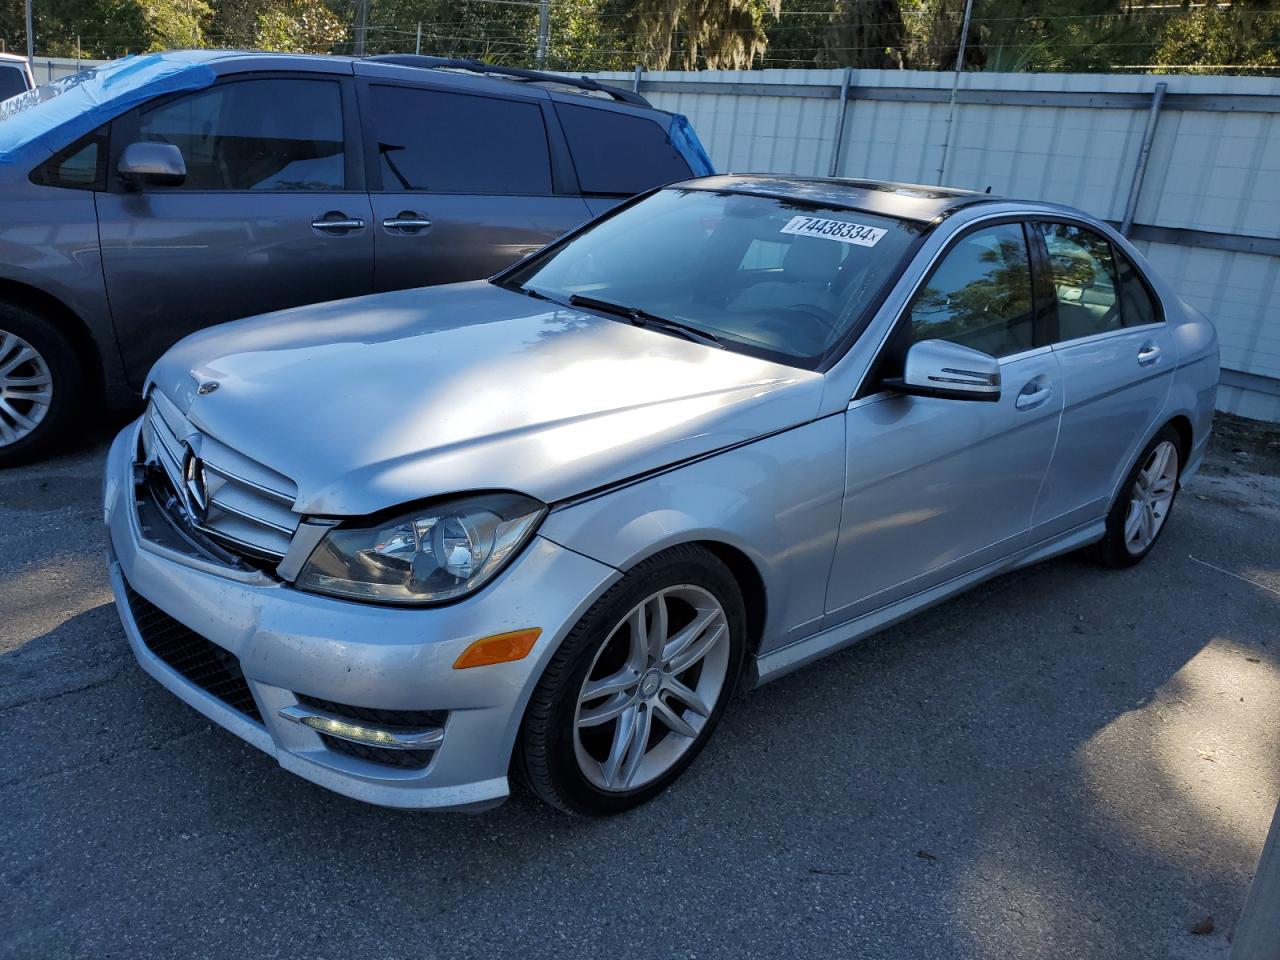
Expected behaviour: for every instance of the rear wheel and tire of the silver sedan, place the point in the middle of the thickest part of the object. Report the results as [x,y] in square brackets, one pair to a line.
[1121,547]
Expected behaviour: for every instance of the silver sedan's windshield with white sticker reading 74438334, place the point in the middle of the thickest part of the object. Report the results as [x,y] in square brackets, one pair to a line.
[778,278]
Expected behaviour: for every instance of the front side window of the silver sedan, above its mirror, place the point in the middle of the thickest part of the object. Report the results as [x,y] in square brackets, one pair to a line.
[981,295]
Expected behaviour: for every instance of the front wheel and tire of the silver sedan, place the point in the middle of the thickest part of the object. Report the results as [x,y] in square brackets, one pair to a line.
[568,756]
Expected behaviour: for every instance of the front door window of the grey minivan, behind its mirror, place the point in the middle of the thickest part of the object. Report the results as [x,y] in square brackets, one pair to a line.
[258,135]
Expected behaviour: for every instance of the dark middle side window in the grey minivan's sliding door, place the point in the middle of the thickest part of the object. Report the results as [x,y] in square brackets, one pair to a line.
[442,143]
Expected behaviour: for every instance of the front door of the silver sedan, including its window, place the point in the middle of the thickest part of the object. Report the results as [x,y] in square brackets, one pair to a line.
[939,488]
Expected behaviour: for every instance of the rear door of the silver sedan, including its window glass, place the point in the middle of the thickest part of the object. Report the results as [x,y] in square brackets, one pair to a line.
[1117,356]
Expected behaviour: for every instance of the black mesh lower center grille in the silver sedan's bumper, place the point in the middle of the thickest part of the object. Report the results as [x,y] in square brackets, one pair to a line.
[204,664]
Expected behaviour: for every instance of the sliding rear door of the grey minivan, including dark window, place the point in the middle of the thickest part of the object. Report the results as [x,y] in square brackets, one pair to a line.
[463,184]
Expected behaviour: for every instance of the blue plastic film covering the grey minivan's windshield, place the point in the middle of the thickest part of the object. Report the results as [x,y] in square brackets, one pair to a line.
[56,115]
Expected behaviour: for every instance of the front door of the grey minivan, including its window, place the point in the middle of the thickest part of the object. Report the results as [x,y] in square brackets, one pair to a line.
[272,214]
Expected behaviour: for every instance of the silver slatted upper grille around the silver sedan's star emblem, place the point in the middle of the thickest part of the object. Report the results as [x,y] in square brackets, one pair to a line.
[250,508]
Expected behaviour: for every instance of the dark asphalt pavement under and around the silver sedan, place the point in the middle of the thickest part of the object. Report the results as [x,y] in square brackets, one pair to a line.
[1067,762]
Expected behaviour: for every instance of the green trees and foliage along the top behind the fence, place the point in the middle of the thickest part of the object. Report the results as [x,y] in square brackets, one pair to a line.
[592,35]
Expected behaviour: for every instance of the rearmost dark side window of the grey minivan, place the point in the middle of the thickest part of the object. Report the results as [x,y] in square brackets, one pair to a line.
[620,154]
